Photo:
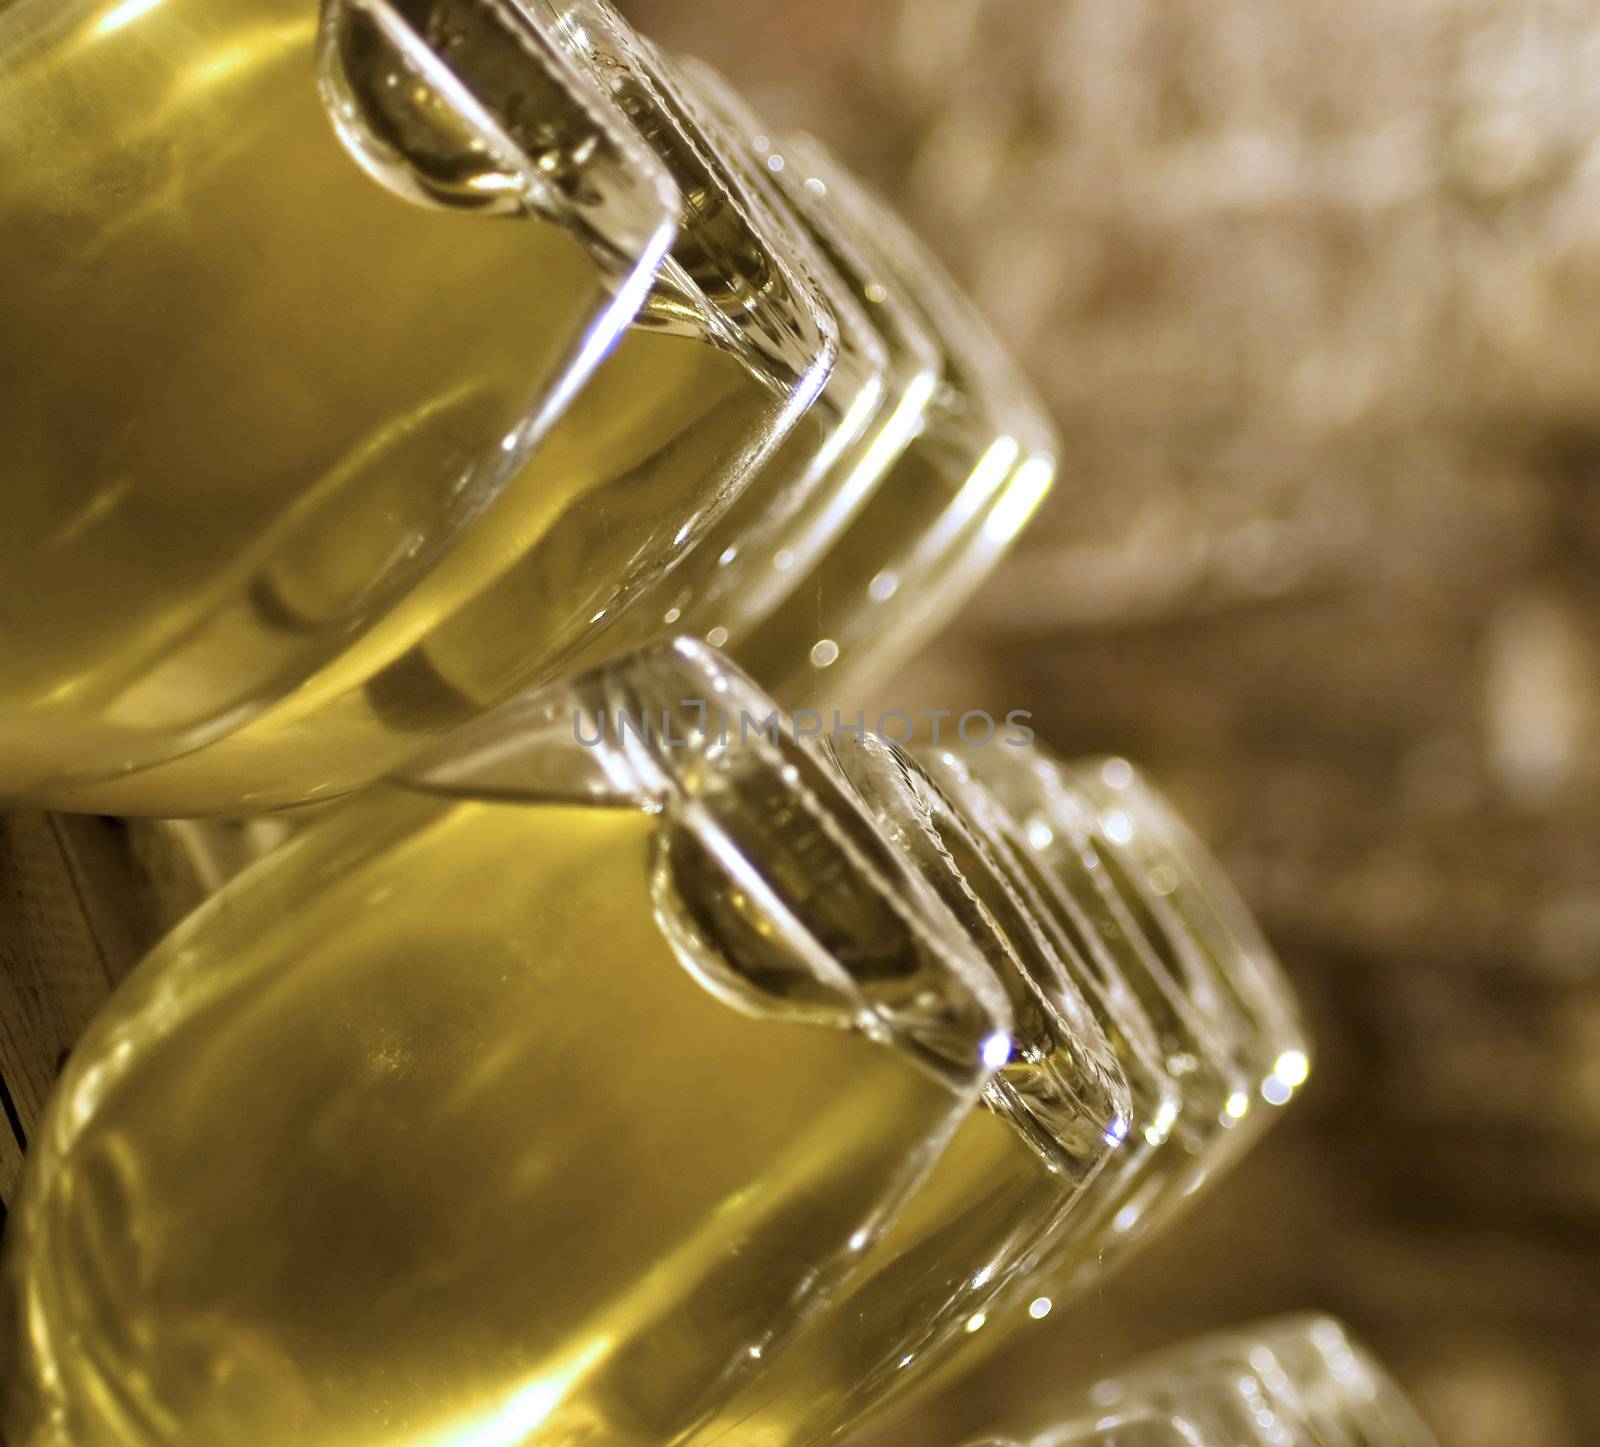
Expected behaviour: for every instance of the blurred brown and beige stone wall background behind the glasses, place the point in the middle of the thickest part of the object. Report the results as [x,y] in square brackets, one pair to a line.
[1316,295]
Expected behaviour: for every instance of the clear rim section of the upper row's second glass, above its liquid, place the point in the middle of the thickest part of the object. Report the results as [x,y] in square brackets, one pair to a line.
[783,324]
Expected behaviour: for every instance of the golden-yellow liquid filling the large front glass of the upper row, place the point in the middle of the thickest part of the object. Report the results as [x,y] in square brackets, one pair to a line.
[244,390]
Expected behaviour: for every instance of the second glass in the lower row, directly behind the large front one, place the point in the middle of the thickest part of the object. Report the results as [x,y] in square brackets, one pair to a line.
[1009,1188]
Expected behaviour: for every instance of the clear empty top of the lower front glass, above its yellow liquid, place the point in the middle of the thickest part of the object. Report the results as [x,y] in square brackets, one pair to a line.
[778,891]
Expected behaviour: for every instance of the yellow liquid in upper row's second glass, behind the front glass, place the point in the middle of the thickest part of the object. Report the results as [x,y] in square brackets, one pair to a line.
[662,438]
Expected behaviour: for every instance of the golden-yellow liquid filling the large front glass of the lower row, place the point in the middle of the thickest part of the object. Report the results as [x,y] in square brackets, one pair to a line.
[420,1134]
